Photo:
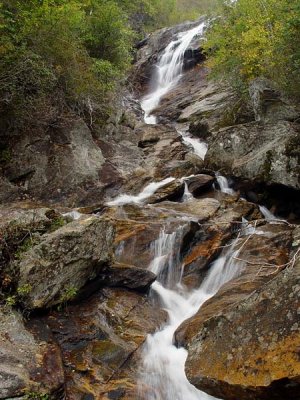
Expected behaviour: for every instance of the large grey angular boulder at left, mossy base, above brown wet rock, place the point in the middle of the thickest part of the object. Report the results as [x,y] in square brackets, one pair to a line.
[64,261]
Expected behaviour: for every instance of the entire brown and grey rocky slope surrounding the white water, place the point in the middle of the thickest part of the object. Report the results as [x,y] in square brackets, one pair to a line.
[75,307]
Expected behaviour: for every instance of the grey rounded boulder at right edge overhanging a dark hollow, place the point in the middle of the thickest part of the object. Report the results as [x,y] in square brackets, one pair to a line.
[261,152]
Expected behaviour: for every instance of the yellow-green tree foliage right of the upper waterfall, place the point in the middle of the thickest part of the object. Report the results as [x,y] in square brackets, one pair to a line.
[255,38]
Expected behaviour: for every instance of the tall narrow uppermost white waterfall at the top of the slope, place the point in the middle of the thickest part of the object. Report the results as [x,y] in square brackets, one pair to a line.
[168,70]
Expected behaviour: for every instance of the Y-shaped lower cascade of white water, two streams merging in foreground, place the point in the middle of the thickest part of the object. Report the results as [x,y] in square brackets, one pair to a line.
[162,375]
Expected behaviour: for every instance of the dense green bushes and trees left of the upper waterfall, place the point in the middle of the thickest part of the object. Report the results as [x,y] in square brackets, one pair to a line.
[60,58]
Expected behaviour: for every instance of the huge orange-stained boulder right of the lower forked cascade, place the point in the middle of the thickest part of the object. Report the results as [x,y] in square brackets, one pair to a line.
[231,355]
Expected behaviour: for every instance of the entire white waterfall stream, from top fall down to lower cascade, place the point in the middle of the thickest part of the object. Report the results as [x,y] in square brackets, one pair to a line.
[161,374]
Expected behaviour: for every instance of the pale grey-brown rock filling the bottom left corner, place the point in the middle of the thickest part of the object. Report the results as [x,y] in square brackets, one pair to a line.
[30,362]
